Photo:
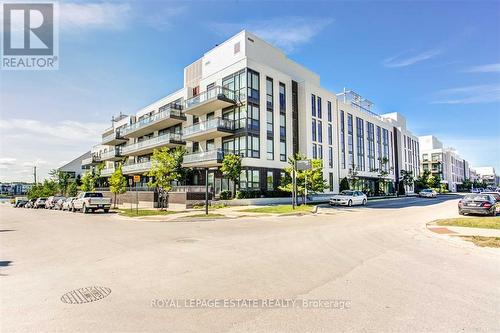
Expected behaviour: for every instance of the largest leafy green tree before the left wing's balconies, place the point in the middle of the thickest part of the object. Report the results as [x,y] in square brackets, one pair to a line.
[166,167]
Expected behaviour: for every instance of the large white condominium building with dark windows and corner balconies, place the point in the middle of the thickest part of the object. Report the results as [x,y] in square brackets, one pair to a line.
[247,97]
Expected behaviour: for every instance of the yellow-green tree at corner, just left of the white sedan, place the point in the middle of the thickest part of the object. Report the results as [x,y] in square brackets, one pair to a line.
[314,176]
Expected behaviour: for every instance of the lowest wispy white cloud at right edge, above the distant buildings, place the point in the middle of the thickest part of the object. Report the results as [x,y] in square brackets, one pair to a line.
[469,95]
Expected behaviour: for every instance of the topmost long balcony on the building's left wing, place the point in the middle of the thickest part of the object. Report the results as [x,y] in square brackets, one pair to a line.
[168,115]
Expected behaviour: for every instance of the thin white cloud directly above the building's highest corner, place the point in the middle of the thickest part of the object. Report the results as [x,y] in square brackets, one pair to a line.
[284,32]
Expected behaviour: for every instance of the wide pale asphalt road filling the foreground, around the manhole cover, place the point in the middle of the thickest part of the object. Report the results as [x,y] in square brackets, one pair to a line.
[391,273]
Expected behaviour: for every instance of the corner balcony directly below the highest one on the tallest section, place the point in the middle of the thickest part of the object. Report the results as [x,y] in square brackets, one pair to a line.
[210,129]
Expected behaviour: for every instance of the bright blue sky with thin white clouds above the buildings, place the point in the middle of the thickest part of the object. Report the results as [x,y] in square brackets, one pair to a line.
[436,62]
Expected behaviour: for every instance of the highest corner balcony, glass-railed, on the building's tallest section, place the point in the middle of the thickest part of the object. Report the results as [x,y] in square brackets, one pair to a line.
[213,99]
